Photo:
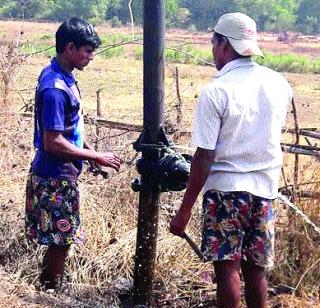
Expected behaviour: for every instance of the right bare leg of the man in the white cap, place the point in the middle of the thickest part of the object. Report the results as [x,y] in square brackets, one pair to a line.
[256,286]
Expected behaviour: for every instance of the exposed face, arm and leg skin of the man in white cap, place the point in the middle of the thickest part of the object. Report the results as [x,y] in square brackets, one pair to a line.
[227,272]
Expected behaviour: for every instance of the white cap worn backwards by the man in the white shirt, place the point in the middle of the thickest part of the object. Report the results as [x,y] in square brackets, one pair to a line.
[241,31]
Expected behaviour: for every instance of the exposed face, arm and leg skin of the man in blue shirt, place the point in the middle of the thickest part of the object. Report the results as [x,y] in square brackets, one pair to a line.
[55,143]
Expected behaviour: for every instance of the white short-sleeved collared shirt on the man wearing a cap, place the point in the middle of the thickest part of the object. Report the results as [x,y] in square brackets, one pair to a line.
[240,116]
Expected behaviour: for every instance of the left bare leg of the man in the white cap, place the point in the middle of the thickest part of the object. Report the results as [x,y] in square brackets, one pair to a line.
[228,283]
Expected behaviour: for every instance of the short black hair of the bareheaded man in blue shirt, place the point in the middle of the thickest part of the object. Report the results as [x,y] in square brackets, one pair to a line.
[77,31]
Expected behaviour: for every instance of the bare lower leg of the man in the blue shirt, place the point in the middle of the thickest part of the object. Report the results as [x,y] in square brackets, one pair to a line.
[53,266]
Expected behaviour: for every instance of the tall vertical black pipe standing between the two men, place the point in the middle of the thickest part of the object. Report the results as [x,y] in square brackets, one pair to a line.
[153,96]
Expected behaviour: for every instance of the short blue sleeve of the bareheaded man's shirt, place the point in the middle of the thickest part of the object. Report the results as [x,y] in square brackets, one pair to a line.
[53,110]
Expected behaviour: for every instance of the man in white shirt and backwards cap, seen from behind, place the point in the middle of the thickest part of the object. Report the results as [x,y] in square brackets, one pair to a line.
[237,163]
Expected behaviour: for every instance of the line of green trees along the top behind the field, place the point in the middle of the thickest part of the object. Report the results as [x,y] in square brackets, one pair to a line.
[271,15]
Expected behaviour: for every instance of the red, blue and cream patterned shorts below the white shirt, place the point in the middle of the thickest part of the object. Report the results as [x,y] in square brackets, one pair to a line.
[238,225]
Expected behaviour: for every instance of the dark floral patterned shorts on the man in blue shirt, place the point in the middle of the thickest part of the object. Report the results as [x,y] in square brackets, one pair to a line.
[52,211]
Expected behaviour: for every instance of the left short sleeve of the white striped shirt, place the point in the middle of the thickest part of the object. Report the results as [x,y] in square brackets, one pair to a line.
[208,120]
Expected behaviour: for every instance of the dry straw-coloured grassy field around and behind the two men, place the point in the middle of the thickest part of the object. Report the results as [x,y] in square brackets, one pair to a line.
[100,272]
